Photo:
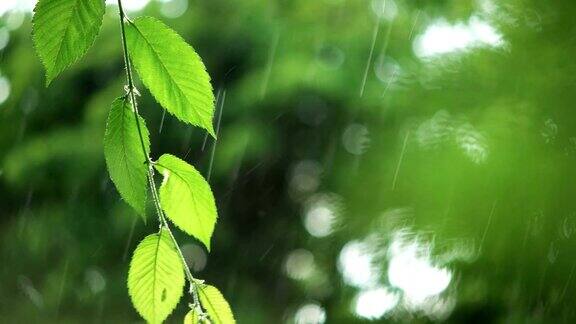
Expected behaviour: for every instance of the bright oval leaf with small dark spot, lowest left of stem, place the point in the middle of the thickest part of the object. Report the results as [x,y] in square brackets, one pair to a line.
[156,277]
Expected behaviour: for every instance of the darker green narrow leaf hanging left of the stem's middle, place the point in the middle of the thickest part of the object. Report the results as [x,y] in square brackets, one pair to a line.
[124,156]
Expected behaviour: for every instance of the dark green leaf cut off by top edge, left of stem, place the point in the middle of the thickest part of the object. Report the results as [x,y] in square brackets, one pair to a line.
[64,30]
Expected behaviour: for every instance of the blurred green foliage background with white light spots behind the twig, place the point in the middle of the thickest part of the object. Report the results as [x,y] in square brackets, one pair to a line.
[407,161]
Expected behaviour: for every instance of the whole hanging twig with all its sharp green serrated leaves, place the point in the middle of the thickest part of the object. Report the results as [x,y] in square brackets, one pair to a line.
[63,32]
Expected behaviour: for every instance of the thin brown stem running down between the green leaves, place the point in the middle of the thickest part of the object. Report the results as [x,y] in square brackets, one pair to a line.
[163,223]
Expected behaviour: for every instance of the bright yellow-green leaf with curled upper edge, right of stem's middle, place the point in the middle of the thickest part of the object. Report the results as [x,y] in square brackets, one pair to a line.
[186,198]
